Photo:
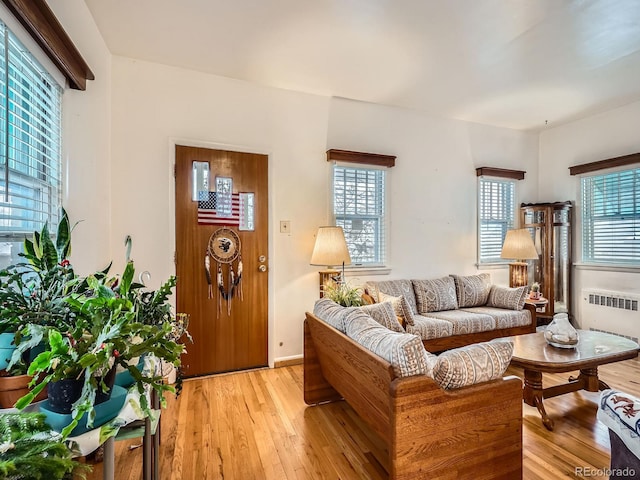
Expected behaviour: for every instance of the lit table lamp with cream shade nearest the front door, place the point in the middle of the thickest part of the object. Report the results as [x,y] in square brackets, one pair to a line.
[330,250]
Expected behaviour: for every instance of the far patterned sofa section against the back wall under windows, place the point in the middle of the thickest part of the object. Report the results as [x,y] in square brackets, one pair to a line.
[455,310]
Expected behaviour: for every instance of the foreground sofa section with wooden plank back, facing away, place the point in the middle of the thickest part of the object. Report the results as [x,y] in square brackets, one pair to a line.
[448,416]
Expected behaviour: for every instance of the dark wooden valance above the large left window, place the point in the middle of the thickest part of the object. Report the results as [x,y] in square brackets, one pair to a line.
[41,23]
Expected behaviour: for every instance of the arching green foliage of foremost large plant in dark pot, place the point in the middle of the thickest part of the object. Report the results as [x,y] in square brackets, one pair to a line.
[107,332]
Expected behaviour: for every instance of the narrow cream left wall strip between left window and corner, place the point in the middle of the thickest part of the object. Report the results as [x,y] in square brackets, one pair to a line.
[86,142]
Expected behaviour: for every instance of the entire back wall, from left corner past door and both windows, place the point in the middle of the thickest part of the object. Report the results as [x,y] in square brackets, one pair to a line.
[433,229]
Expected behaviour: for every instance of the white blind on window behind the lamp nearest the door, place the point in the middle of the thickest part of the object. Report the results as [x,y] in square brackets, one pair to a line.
[359,208]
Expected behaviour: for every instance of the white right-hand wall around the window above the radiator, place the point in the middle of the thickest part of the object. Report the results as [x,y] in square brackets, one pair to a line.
[599,137]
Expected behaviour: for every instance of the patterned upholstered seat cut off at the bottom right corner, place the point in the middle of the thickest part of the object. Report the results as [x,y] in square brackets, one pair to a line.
[620,413]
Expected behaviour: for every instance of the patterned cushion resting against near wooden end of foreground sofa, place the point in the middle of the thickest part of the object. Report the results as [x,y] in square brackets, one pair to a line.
[473,364]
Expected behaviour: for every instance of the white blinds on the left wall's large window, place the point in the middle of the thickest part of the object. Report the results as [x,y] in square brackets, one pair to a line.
[30,141]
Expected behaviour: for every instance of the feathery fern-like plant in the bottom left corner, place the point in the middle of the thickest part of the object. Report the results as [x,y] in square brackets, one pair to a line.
[30,450]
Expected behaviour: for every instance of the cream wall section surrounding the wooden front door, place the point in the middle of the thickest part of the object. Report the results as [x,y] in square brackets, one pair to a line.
[155,106]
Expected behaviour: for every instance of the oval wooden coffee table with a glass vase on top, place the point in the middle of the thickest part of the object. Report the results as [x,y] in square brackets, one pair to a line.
[535,355]
